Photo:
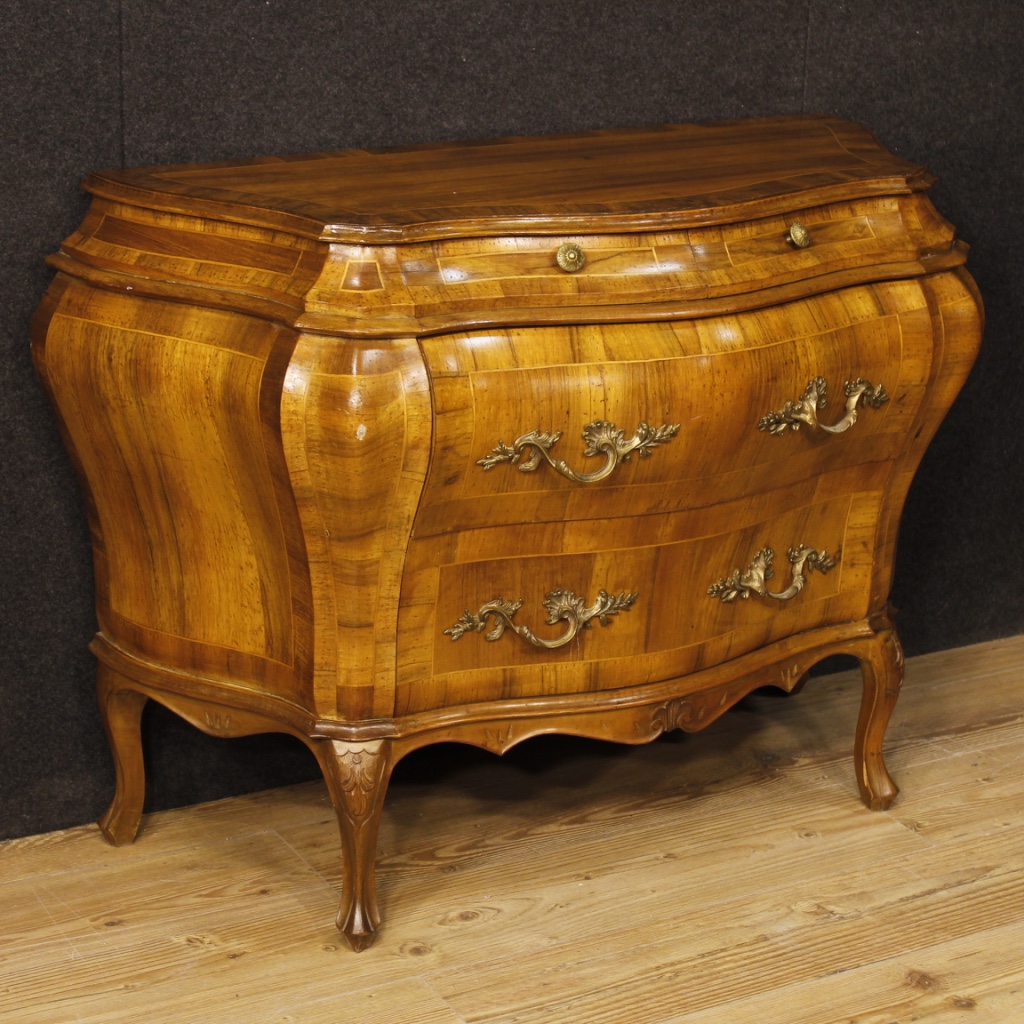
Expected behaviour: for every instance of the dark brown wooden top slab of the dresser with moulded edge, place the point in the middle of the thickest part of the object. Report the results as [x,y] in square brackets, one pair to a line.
[619,181]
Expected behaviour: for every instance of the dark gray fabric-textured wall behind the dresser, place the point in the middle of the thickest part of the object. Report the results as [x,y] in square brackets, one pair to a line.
[101,83]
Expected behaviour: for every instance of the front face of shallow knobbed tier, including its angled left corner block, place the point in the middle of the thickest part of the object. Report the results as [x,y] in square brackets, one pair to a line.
[539,279]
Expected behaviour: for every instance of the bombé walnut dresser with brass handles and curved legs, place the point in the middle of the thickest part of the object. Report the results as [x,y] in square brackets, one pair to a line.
[589,435]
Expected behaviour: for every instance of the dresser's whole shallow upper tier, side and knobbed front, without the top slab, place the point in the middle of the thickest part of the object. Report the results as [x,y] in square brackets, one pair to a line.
[429,287]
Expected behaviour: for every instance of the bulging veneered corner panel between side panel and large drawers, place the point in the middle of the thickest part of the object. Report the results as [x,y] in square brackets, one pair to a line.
[357,420]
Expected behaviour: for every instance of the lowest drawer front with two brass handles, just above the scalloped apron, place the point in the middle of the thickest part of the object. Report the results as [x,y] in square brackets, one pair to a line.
[475,624]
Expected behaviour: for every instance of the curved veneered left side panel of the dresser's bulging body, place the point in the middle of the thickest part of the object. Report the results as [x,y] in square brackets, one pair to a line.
[199,557]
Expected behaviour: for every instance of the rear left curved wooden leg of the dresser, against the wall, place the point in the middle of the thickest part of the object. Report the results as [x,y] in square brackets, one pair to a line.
[121,708]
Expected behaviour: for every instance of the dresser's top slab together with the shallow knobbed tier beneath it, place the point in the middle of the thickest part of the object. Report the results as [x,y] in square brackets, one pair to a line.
[675,221]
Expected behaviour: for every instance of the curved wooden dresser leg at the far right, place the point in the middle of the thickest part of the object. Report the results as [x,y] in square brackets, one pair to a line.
[883,673]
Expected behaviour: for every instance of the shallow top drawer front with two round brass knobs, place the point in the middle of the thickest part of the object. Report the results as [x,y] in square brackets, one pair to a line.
[702,263]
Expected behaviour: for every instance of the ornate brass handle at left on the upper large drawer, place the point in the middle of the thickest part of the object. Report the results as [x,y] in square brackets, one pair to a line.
[600,436]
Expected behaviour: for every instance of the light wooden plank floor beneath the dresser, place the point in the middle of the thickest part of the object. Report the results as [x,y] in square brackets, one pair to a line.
[728,878]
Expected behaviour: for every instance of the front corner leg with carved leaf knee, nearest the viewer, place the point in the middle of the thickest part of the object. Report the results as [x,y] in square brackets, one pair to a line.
[358,776]
